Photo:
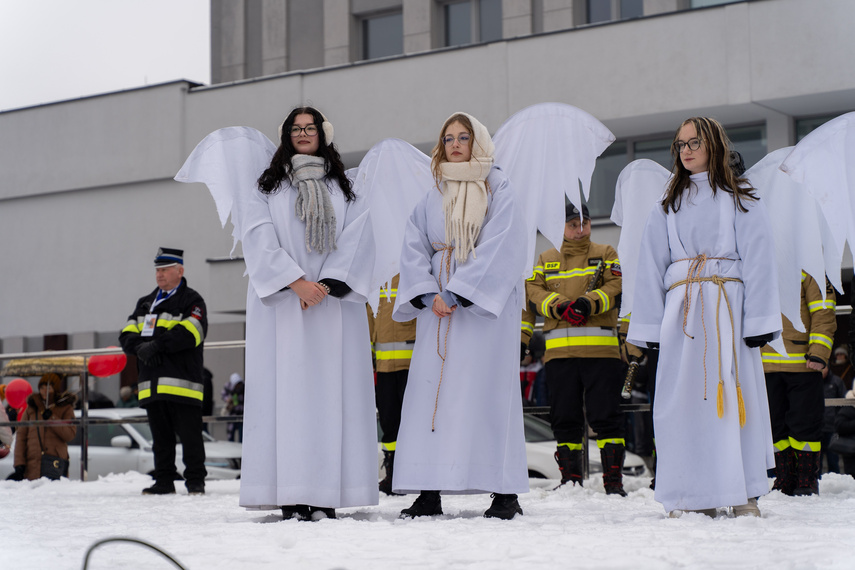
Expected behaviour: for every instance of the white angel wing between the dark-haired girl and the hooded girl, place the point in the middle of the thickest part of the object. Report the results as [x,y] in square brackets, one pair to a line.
[393,176]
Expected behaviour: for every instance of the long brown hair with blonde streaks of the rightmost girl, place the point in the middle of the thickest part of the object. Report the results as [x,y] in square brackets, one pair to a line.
[722,175]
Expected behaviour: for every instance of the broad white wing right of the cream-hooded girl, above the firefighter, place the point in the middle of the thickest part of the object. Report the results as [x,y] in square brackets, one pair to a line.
[547,150]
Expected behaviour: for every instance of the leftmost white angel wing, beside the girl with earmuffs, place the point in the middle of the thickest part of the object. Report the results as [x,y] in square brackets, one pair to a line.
[229,161]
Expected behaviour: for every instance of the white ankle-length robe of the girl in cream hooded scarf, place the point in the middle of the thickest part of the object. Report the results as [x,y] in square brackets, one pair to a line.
[477,444]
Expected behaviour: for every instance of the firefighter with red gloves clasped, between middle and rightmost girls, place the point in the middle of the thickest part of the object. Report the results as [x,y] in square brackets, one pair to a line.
[577,291]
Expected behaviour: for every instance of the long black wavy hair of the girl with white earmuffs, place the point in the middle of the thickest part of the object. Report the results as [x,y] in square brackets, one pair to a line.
[280,165]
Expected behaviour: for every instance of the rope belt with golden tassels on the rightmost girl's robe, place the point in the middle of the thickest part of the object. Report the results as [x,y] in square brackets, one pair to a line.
[696,266]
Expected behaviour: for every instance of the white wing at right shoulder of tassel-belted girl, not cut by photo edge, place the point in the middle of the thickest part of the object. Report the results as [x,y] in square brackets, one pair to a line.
[798,229]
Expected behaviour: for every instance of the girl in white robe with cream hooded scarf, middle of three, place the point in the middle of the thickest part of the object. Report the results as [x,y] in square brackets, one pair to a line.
[461,424]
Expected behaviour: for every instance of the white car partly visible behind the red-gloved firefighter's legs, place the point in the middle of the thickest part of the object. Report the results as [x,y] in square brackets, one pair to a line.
[540,446]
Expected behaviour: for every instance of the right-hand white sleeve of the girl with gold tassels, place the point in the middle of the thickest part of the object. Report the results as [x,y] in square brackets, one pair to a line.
[762,308]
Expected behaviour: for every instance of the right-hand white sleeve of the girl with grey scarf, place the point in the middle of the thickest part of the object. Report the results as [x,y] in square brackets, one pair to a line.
[353,259]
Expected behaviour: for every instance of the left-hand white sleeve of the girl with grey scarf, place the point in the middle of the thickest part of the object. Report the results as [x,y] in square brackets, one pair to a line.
[269,266]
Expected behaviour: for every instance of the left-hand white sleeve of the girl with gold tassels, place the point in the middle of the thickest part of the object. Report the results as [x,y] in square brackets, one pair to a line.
[654,258]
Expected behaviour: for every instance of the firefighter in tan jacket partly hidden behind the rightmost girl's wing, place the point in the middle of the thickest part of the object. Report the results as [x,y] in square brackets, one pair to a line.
[794,385]
